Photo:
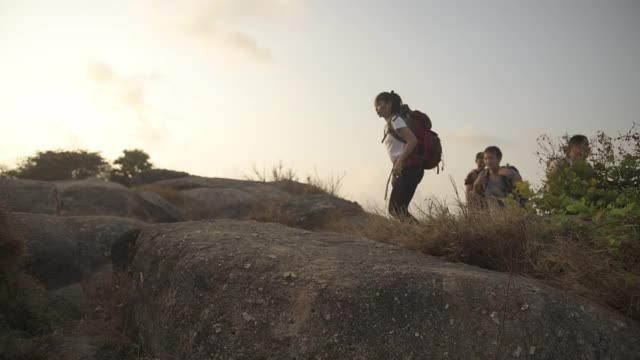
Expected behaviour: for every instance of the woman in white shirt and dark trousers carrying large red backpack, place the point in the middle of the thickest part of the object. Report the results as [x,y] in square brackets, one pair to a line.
[412,148]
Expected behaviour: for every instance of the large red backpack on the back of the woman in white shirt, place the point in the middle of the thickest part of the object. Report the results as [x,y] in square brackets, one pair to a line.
[428,151]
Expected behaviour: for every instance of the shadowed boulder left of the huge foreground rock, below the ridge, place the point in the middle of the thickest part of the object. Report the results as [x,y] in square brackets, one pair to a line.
[65,250]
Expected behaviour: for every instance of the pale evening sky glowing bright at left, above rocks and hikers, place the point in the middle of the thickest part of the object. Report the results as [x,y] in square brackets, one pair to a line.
[218,87]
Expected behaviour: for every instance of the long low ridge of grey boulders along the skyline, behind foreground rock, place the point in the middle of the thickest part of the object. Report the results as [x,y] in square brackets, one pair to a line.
[182,198]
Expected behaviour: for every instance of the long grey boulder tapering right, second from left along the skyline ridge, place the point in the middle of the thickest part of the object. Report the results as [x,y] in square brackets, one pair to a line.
[96,197]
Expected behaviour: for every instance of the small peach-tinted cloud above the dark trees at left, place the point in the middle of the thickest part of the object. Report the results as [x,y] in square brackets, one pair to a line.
[128,93]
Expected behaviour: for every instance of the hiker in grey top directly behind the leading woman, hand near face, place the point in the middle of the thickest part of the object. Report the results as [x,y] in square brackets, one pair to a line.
[495,182]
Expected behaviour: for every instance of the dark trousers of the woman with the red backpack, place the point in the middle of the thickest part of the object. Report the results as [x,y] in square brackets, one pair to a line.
[404,187]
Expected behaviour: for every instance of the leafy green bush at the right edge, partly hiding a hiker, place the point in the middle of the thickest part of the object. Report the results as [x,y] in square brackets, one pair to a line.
[598,199]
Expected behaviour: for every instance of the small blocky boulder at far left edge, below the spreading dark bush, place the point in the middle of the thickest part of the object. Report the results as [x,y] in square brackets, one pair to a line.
[29,196]
